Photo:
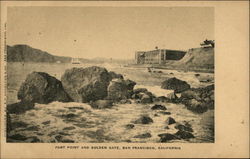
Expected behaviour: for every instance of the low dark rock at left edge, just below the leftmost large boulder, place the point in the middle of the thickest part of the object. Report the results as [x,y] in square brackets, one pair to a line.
[20,107]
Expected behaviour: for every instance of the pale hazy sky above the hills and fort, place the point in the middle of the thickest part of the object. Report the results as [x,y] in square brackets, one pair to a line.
[111,32]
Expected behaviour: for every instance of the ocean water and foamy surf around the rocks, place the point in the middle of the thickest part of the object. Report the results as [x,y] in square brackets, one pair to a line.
[78,122]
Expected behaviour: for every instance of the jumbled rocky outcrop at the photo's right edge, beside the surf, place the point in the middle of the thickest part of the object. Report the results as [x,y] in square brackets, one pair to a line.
[198,99]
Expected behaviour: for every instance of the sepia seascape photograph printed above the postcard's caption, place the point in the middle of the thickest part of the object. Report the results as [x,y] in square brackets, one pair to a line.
[110,74]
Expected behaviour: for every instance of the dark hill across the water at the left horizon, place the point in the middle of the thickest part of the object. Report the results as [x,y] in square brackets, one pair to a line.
[25,53]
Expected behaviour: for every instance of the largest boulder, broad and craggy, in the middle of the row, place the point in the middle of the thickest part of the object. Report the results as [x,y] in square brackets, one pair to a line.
[86,84]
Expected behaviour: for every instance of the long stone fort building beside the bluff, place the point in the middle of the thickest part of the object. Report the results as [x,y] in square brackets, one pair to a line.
[158,56]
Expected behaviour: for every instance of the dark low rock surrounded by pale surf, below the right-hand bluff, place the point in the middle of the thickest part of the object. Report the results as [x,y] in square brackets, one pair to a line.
[175,84]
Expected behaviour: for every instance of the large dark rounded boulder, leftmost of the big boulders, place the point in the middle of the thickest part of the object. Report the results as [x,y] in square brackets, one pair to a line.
[40,87]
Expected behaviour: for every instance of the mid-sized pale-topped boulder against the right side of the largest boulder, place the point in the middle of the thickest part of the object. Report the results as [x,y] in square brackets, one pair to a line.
[120,89]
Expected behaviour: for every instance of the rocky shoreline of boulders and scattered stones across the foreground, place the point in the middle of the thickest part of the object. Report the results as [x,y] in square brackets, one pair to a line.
[101,90]
